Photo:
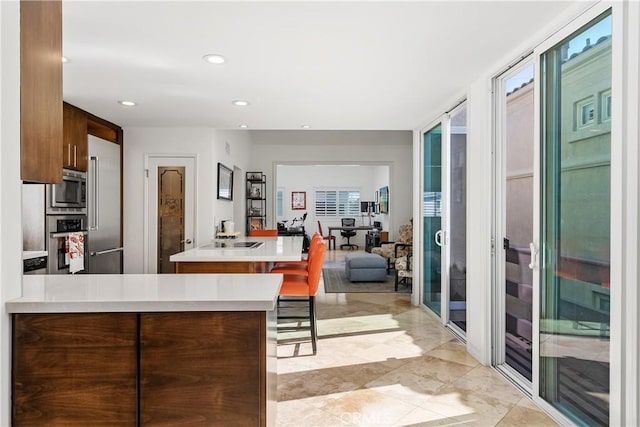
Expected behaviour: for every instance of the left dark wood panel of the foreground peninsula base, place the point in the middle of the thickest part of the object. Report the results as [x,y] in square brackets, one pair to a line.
[74,369]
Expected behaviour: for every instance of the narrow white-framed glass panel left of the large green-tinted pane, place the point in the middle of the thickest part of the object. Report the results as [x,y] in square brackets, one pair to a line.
[513,341]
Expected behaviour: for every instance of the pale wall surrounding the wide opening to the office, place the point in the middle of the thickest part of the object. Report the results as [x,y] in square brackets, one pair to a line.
[391,148]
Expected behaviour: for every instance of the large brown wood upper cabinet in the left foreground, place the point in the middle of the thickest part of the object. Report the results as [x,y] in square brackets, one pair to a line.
[41,117]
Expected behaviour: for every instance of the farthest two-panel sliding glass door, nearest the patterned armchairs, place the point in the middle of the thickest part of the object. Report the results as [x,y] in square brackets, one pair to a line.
[444,219]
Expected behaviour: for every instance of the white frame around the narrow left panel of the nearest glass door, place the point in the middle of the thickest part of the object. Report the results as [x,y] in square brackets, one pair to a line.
[498,275]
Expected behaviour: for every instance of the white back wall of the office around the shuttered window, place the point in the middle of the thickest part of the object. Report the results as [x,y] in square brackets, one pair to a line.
[309,178]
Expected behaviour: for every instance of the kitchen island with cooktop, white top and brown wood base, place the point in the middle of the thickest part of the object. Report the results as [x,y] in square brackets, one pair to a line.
[241,255]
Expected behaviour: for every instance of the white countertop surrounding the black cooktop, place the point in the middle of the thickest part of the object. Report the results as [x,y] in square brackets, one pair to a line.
[281,248]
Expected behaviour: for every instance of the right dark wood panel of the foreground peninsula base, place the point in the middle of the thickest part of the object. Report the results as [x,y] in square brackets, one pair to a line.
[203,368]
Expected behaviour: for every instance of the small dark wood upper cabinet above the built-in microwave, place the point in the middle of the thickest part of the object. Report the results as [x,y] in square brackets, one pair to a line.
[74,148]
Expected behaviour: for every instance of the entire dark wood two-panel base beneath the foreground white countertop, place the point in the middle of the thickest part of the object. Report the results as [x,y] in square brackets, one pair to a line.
[129,369]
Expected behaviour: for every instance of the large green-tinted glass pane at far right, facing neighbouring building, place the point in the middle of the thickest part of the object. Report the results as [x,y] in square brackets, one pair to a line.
[575,224]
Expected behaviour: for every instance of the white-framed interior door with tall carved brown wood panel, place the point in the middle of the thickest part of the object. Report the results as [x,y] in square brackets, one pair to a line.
[170,204]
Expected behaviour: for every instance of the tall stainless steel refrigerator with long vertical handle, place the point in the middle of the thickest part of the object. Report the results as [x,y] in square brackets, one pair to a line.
[103,207]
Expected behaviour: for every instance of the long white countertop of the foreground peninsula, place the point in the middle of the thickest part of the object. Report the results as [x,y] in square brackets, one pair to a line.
[85,293]
